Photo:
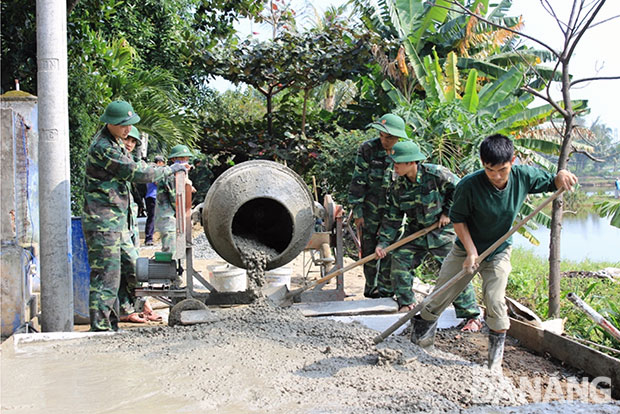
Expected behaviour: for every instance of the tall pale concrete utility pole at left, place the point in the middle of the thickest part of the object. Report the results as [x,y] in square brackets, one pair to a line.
[54,176]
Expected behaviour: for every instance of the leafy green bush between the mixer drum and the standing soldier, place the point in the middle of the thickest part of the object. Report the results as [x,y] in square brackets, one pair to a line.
[334,166]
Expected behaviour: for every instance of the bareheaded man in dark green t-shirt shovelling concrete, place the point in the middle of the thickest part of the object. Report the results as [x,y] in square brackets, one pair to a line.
[486,204]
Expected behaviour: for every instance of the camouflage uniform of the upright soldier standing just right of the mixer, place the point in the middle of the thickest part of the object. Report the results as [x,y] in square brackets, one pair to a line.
[368,192]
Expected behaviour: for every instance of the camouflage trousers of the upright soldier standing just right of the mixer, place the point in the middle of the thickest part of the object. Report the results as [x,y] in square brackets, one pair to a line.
[376,272]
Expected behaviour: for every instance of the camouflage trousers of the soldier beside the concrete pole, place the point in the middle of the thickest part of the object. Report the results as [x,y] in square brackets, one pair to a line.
[112,258]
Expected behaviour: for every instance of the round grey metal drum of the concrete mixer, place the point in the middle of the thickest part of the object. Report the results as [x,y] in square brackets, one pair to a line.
[263,201]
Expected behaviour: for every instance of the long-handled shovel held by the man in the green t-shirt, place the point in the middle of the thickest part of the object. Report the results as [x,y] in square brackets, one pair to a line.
[463,273]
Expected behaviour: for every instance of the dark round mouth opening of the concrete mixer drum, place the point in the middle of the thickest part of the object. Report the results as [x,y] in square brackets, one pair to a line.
[266,221]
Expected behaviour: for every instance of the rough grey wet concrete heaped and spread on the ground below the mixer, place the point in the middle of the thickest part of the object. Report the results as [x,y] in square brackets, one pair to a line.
[267,359]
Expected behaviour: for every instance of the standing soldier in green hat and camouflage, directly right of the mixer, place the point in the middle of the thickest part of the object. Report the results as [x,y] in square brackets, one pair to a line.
[368,191]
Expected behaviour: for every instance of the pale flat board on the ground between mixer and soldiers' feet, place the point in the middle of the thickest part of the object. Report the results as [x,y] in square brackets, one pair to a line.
[345,308]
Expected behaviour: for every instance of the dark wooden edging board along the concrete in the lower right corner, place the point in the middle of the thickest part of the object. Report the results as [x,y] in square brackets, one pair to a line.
[591,361]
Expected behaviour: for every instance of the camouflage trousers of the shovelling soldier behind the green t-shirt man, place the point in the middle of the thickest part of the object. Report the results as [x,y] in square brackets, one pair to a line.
[404,262]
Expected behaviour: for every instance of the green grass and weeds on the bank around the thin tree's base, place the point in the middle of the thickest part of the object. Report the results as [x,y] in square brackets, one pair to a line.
[528,284]
